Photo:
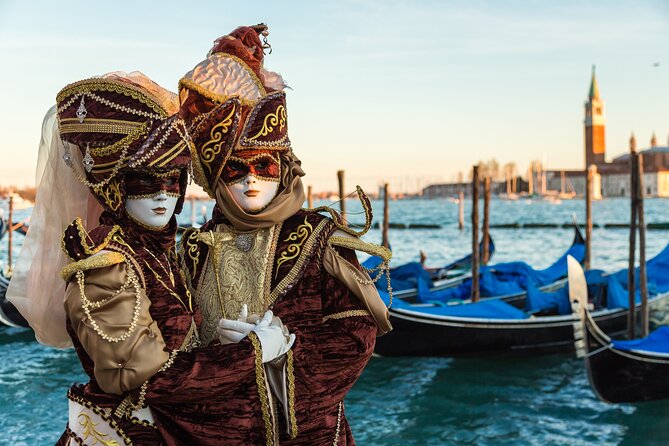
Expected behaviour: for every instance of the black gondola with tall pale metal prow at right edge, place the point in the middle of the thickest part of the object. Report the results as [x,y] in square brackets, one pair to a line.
[620,371]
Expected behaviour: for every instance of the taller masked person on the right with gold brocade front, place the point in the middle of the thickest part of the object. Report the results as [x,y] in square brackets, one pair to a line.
[262,251]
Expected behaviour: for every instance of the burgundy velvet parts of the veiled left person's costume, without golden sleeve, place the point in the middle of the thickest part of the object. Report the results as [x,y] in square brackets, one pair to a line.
[178,395]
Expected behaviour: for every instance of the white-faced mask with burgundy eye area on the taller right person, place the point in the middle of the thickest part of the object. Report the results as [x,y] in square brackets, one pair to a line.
[252,178]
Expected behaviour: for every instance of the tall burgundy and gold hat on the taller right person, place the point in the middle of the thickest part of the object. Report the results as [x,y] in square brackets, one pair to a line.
[231,103]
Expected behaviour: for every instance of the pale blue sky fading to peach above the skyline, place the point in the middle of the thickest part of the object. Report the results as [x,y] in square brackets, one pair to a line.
[409,92]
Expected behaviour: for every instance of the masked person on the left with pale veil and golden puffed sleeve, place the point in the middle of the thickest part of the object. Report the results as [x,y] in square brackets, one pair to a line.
[126,310]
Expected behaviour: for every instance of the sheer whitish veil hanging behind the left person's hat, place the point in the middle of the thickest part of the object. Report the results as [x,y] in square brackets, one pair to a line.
[36,288]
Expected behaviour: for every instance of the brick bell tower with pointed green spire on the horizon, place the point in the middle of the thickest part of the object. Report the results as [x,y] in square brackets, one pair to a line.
[594,122]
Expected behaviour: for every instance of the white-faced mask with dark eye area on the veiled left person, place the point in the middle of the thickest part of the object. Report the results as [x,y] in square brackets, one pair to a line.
[152,198]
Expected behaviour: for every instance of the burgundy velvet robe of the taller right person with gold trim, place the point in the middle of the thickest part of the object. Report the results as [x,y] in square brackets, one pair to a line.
[329,356]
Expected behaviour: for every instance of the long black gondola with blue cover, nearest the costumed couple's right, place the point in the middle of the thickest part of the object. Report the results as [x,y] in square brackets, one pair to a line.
[493,326]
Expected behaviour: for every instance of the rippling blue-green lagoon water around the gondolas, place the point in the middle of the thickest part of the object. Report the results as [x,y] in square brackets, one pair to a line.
[502,400]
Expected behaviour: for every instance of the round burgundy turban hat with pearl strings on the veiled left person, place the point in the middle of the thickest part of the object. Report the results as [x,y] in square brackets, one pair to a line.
[120,123]
